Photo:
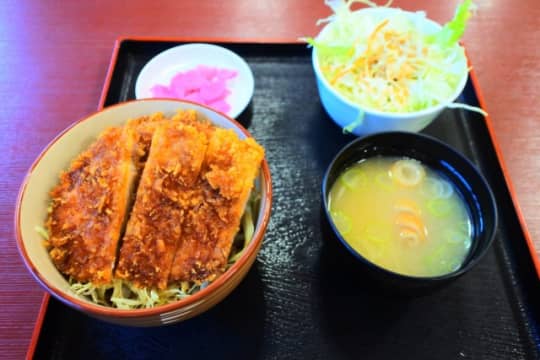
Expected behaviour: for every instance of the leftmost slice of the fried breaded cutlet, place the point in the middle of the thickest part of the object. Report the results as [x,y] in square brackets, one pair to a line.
[89,208]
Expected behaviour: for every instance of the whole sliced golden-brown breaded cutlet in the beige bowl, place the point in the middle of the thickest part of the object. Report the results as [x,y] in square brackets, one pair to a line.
[192,181]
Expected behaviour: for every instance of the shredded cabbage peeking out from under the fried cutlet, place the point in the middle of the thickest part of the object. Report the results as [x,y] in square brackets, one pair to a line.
[123,295]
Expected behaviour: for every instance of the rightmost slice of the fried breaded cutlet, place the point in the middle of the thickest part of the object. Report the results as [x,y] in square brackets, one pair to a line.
[209,228]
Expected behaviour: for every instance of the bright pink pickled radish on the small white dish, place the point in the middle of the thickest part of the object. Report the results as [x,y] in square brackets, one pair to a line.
[203,84]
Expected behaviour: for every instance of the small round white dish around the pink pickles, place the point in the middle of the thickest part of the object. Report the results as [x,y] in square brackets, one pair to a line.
[164,66]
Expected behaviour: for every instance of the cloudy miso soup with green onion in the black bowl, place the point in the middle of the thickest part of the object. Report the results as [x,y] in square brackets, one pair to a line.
[401,215]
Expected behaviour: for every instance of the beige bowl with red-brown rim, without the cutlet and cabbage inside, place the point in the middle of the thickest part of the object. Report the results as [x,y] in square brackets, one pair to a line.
[33,199]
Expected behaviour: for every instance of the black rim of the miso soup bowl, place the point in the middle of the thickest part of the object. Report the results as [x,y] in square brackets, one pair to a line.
[436,142]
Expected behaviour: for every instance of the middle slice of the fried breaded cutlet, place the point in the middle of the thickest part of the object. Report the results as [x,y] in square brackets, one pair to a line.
[165,189]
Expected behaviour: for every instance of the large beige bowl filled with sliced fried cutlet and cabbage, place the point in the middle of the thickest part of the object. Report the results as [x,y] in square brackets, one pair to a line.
[145,213]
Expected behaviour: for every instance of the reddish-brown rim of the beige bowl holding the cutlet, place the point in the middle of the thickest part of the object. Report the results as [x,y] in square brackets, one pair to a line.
[203,294]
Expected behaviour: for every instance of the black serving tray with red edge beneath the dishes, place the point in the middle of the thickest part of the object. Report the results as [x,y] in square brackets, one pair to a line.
[304,297]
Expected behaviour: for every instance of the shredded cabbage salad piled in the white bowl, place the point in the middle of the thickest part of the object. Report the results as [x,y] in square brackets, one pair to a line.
[390,62]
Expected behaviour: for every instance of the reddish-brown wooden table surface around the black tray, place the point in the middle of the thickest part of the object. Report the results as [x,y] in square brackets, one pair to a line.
[54,58]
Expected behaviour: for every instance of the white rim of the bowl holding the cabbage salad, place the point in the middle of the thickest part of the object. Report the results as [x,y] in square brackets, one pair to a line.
[397,115]
